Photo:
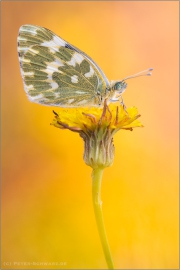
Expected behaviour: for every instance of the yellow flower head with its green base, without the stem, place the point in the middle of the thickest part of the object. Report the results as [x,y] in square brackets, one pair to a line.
[97,126]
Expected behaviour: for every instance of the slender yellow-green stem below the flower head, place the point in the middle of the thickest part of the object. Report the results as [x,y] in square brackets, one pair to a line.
[96,195]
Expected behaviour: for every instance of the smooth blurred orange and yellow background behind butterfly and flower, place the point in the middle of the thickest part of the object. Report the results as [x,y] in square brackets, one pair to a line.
[47,212]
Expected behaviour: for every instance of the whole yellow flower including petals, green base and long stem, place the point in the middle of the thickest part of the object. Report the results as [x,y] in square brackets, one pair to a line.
[97,126]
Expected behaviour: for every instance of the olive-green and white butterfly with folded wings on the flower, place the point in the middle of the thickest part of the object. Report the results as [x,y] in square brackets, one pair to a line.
[56,73]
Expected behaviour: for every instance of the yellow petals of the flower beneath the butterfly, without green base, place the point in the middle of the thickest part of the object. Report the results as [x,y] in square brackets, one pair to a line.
[89,119]
